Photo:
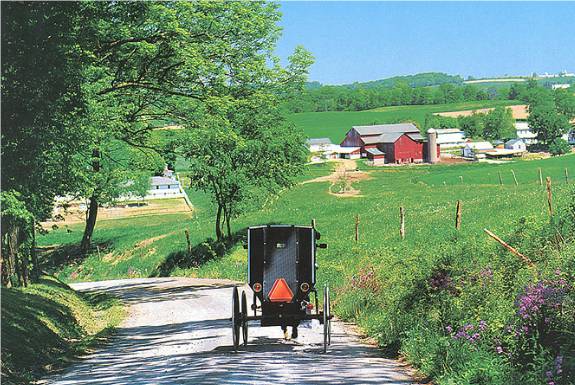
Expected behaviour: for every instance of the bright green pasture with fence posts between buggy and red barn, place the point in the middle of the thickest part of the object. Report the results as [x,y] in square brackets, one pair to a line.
[143,246]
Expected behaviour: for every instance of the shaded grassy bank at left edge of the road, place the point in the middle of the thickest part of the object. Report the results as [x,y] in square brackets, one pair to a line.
[47,325]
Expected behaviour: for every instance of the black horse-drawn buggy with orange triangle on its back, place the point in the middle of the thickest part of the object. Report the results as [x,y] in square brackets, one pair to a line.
[282,276]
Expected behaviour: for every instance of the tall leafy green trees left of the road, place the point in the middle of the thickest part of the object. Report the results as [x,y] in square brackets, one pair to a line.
[85,83]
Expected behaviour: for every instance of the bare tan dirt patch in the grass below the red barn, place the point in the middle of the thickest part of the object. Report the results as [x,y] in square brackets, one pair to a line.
[342,179]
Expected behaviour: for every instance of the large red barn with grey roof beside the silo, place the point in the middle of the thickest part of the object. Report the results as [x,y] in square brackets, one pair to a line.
[399,143]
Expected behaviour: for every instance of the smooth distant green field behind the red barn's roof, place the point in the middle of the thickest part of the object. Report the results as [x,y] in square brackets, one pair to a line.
[335,124]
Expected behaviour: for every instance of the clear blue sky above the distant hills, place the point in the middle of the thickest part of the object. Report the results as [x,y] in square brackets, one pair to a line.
[361,41]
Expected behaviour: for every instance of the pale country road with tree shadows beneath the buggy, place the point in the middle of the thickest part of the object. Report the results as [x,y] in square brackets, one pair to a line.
[178,332]
